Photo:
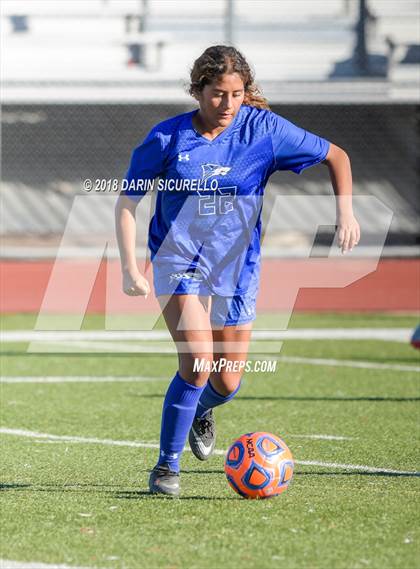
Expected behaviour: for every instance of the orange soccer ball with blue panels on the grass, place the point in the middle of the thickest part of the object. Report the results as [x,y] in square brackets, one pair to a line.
[259,465]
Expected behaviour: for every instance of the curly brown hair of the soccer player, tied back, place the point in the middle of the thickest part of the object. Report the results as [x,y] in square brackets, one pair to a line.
[217,60]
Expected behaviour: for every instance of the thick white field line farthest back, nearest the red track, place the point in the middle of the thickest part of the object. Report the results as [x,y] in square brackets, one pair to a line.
[385,334]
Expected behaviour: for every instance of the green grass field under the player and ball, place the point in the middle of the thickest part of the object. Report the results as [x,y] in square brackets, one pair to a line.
[85,503]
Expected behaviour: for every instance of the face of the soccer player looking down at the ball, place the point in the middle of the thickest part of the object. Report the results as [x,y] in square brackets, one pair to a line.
[220,101]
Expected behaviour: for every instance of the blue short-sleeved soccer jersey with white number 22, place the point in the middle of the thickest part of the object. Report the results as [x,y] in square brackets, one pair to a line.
[209,192]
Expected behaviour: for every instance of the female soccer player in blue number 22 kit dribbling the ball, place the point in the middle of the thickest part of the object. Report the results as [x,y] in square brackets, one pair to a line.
[213,164]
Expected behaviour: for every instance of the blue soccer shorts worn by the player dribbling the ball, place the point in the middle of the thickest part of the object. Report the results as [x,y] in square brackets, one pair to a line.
[225,310]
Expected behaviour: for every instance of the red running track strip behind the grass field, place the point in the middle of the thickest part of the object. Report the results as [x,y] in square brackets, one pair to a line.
[308,285]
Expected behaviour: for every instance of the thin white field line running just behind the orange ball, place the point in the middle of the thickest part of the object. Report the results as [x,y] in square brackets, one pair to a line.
[139,444]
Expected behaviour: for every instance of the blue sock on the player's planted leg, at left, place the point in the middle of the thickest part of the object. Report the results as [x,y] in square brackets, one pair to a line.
[177,416]
